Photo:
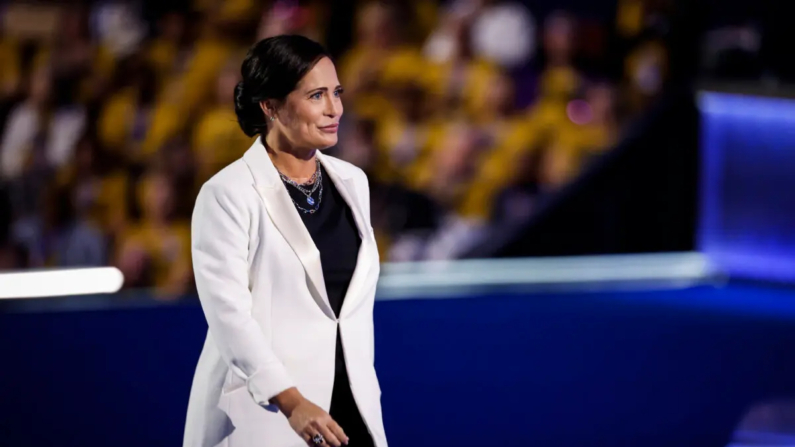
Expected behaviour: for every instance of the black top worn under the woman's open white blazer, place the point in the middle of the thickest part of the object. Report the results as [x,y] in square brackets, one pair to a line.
[334,231]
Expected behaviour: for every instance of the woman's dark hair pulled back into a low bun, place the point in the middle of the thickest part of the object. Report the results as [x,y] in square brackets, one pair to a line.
[271,70]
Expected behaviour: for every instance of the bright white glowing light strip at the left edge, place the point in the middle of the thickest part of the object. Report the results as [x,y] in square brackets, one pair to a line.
[52,283]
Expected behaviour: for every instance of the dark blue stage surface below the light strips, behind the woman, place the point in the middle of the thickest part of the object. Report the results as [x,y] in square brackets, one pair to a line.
[632,368]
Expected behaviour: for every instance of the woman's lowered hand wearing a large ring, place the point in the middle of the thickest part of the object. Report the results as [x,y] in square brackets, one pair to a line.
[309,420]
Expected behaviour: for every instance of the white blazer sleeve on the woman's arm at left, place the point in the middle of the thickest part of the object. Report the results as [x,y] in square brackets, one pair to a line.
[219,247]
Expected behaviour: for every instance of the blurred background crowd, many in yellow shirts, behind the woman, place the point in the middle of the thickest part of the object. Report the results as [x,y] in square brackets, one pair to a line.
[463,113]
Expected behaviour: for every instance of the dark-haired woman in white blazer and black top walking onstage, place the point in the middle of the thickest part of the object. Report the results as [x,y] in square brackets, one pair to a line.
[286,268]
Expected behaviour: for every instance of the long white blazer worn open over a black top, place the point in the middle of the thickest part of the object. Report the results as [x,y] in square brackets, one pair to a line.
[271,327]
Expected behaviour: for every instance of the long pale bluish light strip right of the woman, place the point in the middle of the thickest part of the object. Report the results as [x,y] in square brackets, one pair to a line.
[408,278]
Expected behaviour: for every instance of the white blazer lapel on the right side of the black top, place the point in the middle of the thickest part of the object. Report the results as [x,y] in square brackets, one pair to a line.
[347,188]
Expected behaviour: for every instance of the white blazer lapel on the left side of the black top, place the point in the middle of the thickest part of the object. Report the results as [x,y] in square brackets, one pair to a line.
[285,217]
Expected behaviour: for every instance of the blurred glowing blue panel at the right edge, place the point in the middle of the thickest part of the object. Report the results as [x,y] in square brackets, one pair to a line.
[747,223]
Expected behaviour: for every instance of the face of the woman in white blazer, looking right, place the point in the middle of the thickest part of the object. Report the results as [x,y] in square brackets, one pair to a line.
[309,117]
